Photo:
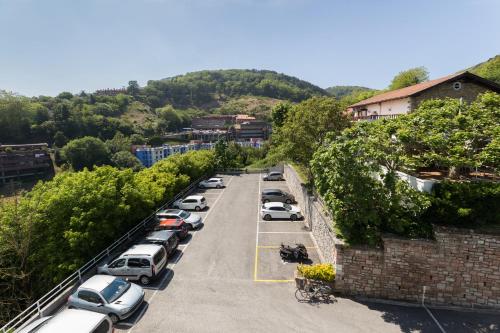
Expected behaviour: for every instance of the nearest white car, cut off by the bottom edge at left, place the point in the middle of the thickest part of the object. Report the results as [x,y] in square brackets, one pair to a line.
[74,321]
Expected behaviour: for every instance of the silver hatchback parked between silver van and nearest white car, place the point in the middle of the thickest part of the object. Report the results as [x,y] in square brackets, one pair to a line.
[110,295]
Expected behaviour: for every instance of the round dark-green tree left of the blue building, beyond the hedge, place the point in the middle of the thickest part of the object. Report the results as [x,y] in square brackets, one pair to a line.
[86,152]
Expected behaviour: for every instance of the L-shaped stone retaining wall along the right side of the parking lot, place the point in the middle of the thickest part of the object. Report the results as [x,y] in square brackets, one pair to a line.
[460,267]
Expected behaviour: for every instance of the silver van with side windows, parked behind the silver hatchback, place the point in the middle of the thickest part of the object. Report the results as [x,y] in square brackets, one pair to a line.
[141,262]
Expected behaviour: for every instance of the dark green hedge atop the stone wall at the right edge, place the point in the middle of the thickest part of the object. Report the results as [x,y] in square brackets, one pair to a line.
[464,204]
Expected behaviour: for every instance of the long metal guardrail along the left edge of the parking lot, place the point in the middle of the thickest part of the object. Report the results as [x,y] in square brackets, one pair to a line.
[34,311]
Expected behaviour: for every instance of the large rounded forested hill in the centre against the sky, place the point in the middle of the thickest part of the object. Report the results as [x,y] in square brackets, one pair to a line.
[203,88]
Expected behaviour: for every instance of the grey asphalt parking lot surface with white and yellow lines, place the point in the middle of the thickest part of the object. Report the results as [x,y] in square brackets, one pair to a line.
[228,276]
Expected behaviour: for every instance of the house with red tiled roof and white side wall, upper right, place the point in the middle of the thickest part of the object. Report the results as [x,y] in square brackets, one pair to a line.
[394,103]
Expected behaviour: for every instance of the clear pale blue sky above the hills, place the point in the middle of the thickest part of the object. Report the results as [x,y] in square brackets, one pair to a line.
[51,46]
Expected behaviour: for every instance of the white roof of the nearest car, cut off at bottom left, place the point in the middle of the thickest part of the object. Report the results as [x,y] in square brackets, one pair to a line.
[80,321]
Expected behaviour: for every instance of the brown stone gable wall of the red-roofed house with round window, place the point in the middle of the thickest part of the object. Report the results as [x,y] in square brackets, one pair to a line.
[469,92]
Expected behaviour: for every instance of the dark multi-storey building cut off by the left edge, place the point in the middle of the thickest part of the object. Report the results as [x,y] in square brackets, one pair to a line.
[26,160]
